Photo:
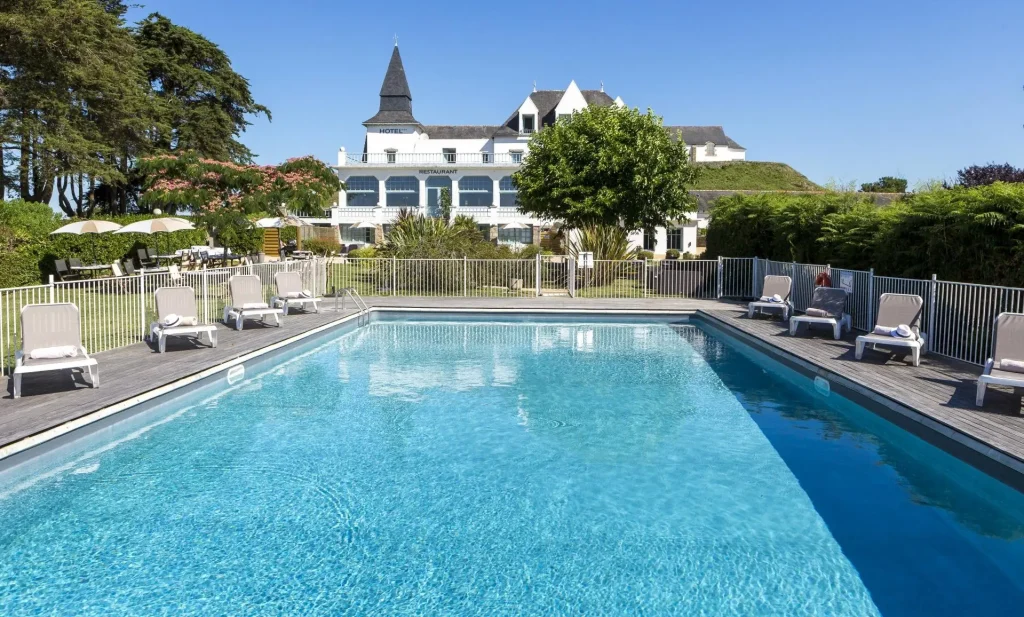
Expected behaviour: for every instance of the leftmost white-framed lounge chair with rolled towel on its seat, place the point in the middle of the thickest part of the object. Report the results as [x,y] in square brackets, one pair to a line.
[52,340]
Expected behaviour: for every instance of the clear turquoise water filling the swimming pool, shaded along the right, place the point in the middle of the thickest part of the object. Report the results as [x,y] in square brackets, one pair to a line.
[518,468]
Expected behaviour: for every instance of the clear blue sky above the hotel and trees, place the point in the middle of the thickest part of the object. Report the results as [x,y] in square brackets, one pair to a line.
[839,91]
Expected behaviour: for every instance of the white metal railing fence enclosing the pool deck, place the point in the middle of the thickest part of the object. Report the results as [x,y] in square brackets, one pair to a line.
[117,312]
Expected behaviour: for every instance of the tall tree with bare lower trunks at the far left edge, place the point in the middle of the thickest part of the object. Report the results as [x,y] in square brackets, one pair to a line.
[73,96]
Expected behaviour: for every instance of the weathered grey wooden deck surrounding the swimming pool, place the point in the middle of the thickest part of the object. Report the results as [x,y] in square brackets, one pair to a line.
[941,390]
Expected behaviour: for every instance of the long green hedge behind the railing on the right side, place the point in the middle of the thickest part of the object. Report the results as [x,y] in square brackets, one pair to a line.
[967,235]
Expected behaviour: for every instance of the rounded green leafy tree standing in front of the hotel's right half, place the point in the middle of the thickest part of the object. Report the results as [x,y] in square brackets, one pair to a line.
[607,166]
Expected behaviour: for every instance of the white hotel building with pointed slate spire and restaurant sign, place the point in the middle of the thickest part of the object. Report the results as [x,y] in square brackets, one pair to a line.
[406,164]
